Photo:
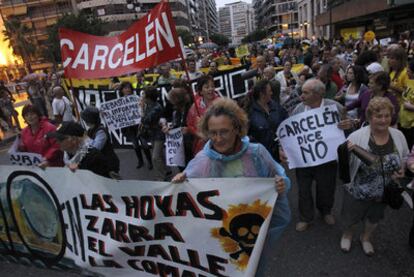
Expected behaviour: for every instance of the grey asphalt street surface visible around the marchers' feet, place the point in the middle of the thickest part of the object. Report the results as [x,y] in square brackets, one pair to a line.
[315,252]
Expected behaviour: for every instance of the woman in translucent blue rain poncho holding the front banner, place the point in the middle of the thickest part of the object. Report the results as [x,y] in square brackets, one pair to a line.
[228,153]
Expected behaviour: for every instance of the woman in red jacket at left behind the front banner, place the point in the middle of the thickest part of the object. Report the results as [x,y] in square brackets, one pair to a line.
[33,137]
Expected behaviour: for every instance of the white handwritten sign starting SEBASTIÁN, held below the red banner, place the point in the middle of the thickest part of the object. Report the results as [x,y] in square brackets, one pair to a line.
[122,112]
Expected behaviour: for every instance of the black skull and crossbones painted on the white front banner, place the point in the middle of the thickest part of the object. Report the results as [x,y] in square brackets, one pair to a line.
[244,229]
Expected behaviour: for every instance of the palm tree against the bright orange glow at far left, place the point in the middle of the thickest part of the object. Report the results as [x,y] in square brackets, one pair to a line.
[19,37]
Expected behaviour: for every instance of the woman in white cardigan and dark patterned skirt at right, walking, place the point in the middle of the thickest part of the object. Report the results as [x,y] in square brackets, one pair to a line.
[363,194]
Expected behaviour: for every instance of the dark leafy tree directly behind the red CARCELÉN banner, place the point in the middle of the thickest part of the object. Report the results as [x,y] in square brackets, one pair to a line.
[82,22]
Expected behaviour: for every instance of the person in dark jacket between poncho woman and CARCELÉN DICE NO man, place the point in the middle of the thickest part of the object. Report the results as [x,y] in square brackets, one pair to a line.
[265,115]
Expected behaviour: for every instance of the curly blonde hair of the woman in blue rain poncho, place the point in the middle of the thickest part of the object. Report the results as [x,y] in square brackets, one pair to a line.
[229,108]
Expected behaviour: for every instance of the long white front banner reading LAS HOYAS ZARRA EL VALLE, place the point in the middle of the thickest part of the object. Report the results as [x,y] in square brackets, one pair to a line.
[88,224]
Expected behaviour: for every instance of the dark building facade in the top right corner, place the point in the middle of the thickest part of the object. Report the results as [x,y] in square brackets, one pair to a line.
[387,18]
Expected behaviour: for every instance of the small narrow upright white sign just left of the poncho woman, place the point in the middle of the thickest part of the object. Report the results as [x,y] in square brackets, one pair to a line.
[174,148]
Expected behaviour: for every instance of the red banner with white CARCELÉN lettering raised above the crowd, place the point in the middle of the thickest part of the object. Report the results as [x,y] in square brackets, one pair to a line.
[148,42]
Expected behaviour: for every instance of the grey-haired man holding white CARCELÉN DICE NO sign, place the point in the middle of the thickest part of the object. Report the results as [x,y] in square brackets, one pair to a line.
[315,161]
